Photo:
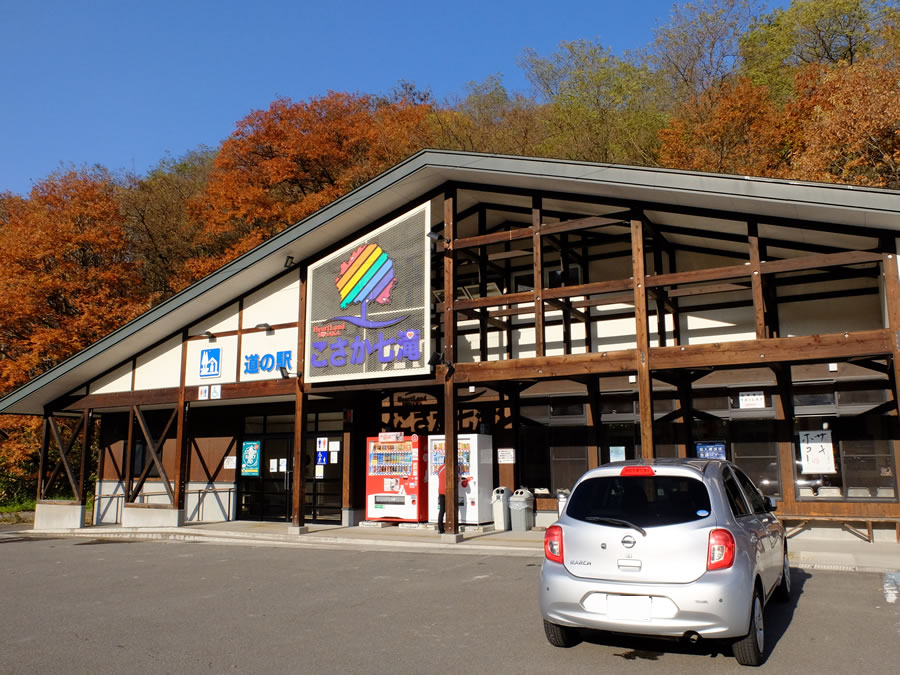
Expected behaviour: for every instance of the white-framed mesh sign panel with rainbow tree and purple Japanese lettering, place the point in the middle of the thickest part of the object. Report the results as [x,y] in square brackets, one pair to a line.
[367,307]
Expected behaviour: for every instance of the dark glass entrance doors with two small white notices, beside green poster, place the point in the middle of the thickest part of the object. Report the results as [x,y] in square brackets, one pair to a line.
[268,495]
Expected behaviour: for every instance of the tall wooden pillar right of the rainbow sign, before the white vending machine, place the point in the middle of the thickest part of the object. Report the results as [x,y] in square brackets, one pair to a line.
[451,452]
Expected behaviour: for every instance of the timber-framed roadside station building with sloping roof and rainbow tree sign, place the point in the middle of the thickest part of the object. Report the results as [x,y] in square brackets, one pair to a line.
[576,313]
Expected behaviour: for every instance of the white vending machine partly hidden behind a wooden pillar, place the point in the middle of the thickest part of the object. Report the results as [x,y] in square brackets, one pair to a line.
[475,483]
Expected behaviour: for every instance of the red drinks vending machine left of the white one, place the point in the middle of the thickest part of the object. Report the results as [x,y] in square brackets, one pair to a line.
[396,478]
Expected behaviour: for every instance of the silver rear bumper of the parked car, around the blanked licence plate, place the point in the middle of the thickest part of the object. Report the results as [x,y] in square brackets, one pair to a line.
[717,605]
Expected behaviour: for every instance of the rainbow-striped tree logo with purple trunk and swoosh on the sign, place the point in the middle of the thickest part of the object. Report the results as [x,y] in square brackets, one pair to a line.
[368,276]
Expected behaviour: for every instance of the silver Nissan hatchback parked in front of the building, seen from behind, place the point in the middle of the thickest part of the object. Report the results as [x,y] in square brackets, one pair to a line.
[681,548]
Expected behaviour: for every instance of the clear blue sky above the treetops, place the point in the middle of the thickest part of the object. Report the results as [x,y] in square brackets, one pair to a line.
[123,83]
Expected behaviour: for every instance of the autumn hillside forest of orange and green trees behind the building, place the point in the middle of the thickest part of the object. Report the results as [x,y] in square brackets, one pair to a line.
[808,92]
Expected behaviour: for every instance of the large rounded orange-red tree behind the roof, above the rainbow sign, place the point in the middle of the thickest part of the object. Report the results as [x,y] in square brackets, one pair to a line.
[284,163]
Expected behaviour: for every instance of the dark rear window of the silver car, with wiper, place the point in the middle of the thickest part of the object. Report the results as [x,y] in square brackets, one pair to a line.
[646,501]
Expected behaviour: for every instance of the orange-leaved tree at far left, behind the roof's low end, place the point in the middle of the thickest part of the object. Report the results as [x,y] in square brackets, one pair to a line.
[67,280]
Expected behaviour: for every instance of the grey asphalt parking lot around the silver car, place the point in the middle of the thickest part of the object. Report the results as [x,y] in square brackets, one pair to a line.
[94,606]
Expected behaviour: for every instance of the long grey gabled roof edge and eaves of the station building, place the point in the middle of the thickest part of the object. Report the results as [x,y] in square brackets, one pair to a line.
[843,205]
